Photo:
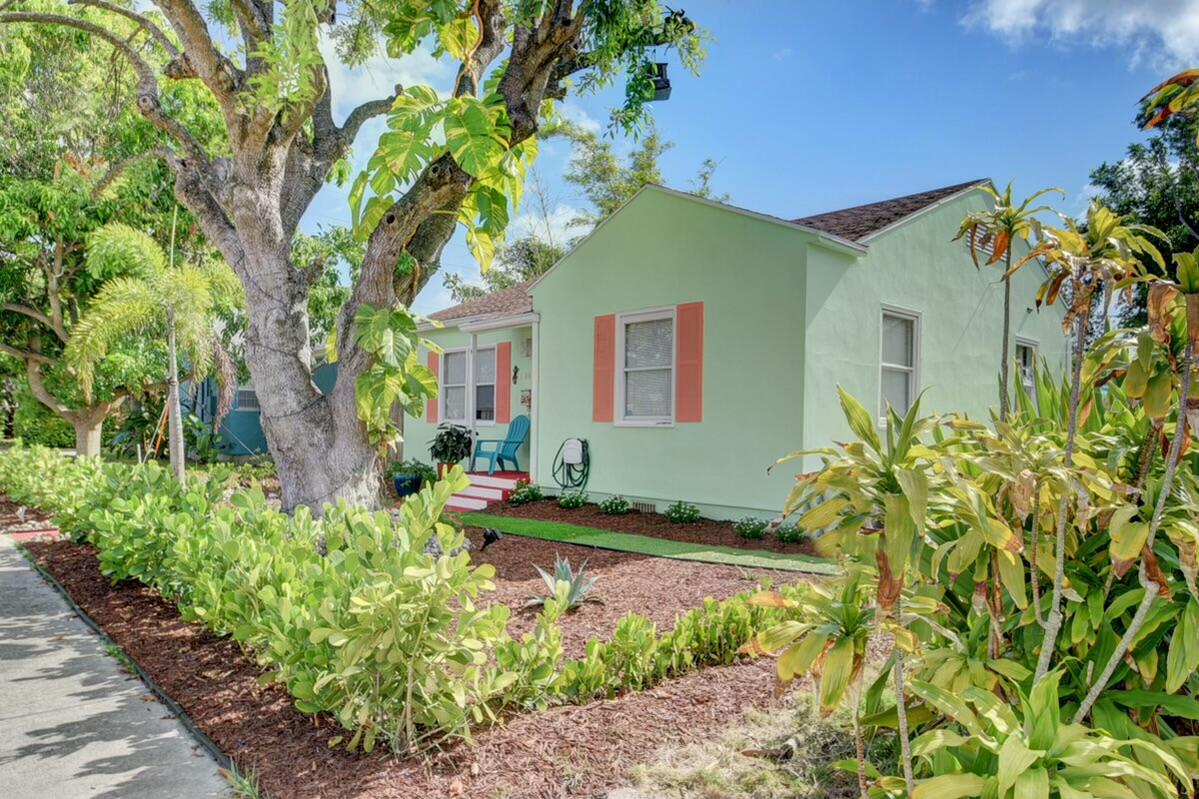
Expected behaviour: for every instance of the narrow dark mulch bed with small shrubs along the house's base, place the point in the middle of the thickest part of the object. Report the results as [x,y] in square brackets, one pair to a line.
[706,531]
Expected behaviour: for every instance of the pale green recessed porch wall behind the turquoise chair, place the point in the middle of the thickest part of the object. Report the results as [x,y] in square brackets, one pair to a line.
[419,432]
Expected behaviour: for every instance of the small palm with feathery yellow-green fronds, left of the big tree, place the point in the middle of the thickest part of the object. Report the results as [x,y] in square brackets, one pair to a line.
[153,293]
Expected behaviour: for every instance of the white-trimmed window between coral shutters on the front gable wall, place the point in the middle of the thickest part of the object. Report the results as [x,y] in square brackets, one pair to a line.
[646,374]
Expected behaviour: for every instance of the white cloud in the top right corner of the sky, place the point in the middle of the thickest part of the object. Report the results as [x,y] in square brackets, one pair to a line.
[1161,32]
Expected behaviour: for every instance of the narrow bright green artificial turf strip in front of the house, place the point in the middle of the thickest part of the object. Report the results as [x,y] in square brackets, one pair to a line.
[591,537]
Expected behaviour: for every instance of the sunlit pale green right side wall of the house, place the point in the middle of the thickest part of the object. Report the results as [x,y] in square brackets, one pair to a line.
[917,267]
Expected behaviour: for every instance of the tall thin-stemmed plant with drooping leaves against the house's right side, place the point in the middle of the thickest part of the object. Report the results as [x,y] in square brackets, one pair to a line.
[998,229]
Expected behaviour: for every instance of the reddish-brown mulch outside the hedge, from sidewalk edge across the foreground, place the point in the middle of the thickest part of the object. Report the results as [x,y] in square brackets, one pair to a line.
[570,752]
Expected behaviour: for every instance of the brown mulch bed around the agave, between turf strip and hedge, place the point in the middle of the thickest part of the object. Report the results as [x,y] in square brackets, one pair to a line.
[658,588]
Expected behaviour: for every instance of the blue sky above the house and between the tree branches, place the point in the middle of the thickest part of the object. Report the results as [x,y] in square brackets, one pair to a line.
[815,106]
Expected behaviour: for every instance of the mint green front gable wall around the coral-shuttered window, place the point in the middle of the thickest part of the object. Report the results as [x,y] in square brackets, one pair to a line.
[664,250]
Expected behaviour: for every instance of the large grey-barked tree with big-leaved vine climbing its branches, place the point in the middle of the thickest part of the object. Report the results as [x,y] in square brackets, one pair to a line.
[445,160]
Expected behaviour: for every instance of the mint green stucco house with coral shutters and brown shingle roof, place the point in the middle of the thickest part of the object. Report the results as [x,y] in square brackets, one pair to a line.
[692,344]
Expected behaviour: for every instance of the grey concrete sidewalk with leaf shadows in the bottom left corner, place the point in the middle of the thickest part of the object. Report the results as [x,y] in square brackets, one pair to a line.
[73,723]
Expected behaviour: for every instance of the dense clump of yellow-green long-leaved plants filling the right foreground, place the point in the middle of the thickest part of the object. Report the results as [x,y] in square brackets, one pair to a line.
[1035,570]
